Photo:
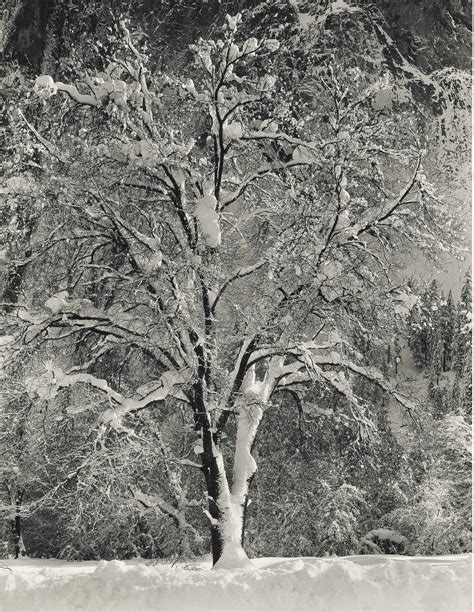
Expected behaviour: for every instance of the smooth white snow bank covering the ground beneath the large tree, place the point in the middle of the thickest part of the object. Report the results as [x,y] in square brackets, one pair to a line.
[371,583]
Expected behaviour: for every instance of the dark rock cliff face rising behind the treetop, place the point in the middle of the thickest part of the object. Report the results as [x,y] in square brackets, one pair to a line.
[432,33]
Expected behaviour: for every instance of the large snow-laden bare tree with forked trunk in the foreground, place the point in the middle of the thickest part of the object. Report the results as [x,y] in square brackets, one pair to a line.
[220,235]
